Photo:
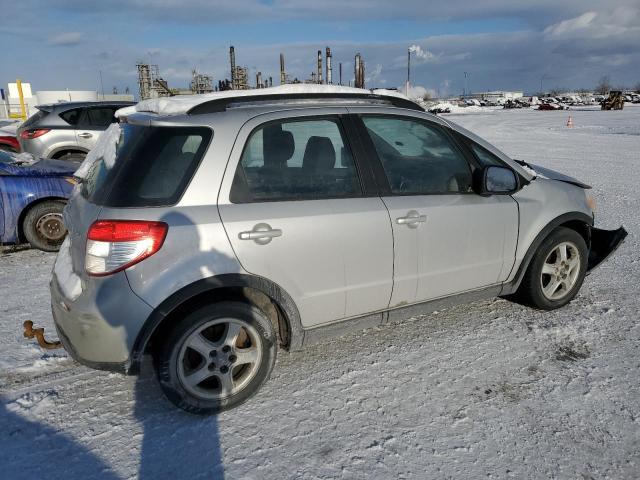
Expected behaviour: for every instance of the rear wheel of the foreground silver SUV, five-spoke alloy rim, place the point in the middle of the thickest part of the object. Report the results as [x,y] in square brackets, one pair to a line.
[217,357]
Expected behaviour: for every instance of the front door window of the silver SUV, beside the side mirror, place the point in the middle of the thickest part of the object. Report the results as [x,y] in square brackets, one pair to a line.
[417,157]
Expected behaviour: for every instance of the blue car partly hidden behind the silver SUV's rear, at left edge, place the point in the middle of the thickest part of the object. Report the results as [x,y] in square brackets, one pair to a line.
[33,194]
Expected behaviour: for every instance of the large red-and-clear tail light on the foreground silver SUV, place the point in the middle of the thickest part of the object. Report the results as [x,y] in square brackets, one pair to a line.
[113,245]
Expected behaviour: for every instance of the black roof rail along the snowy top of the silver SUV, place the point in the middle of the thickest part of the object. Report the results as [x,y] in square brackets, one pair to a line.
[221,104]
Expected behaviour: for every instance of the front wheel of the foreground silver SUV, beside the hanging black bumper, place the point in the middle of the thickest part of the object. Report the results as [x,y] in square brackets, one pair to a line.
[556,271]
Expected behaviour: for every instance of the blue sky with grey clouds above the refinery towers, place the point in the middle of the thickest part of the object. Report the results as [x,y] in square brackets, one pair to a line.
[501,44]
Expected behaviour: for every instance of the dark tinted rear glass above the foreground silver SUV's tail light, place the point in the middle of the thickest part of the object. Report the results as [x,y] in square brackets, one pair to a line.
[153,167]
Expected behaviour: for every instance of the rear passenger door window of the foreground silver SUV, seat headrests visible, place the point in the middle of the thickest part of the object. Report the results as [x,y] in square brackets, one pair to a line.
[295,160]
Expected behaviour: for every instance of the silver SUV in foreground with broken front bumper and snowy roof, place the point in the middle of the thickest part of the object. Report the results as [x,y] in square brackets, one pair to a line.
[228,227]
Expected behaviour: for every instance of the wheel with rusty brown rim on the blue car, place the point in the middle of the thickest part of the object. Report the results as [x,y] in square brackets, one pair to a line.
[43,226]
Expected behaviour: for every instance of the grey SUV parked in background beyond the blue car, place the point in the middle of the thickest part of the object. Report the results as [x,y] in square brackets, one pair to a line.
[68,130]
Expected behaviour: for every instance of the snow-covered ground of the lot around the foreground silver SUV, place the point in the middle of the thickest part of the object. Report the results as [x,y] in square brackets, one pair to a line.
[486,390]
